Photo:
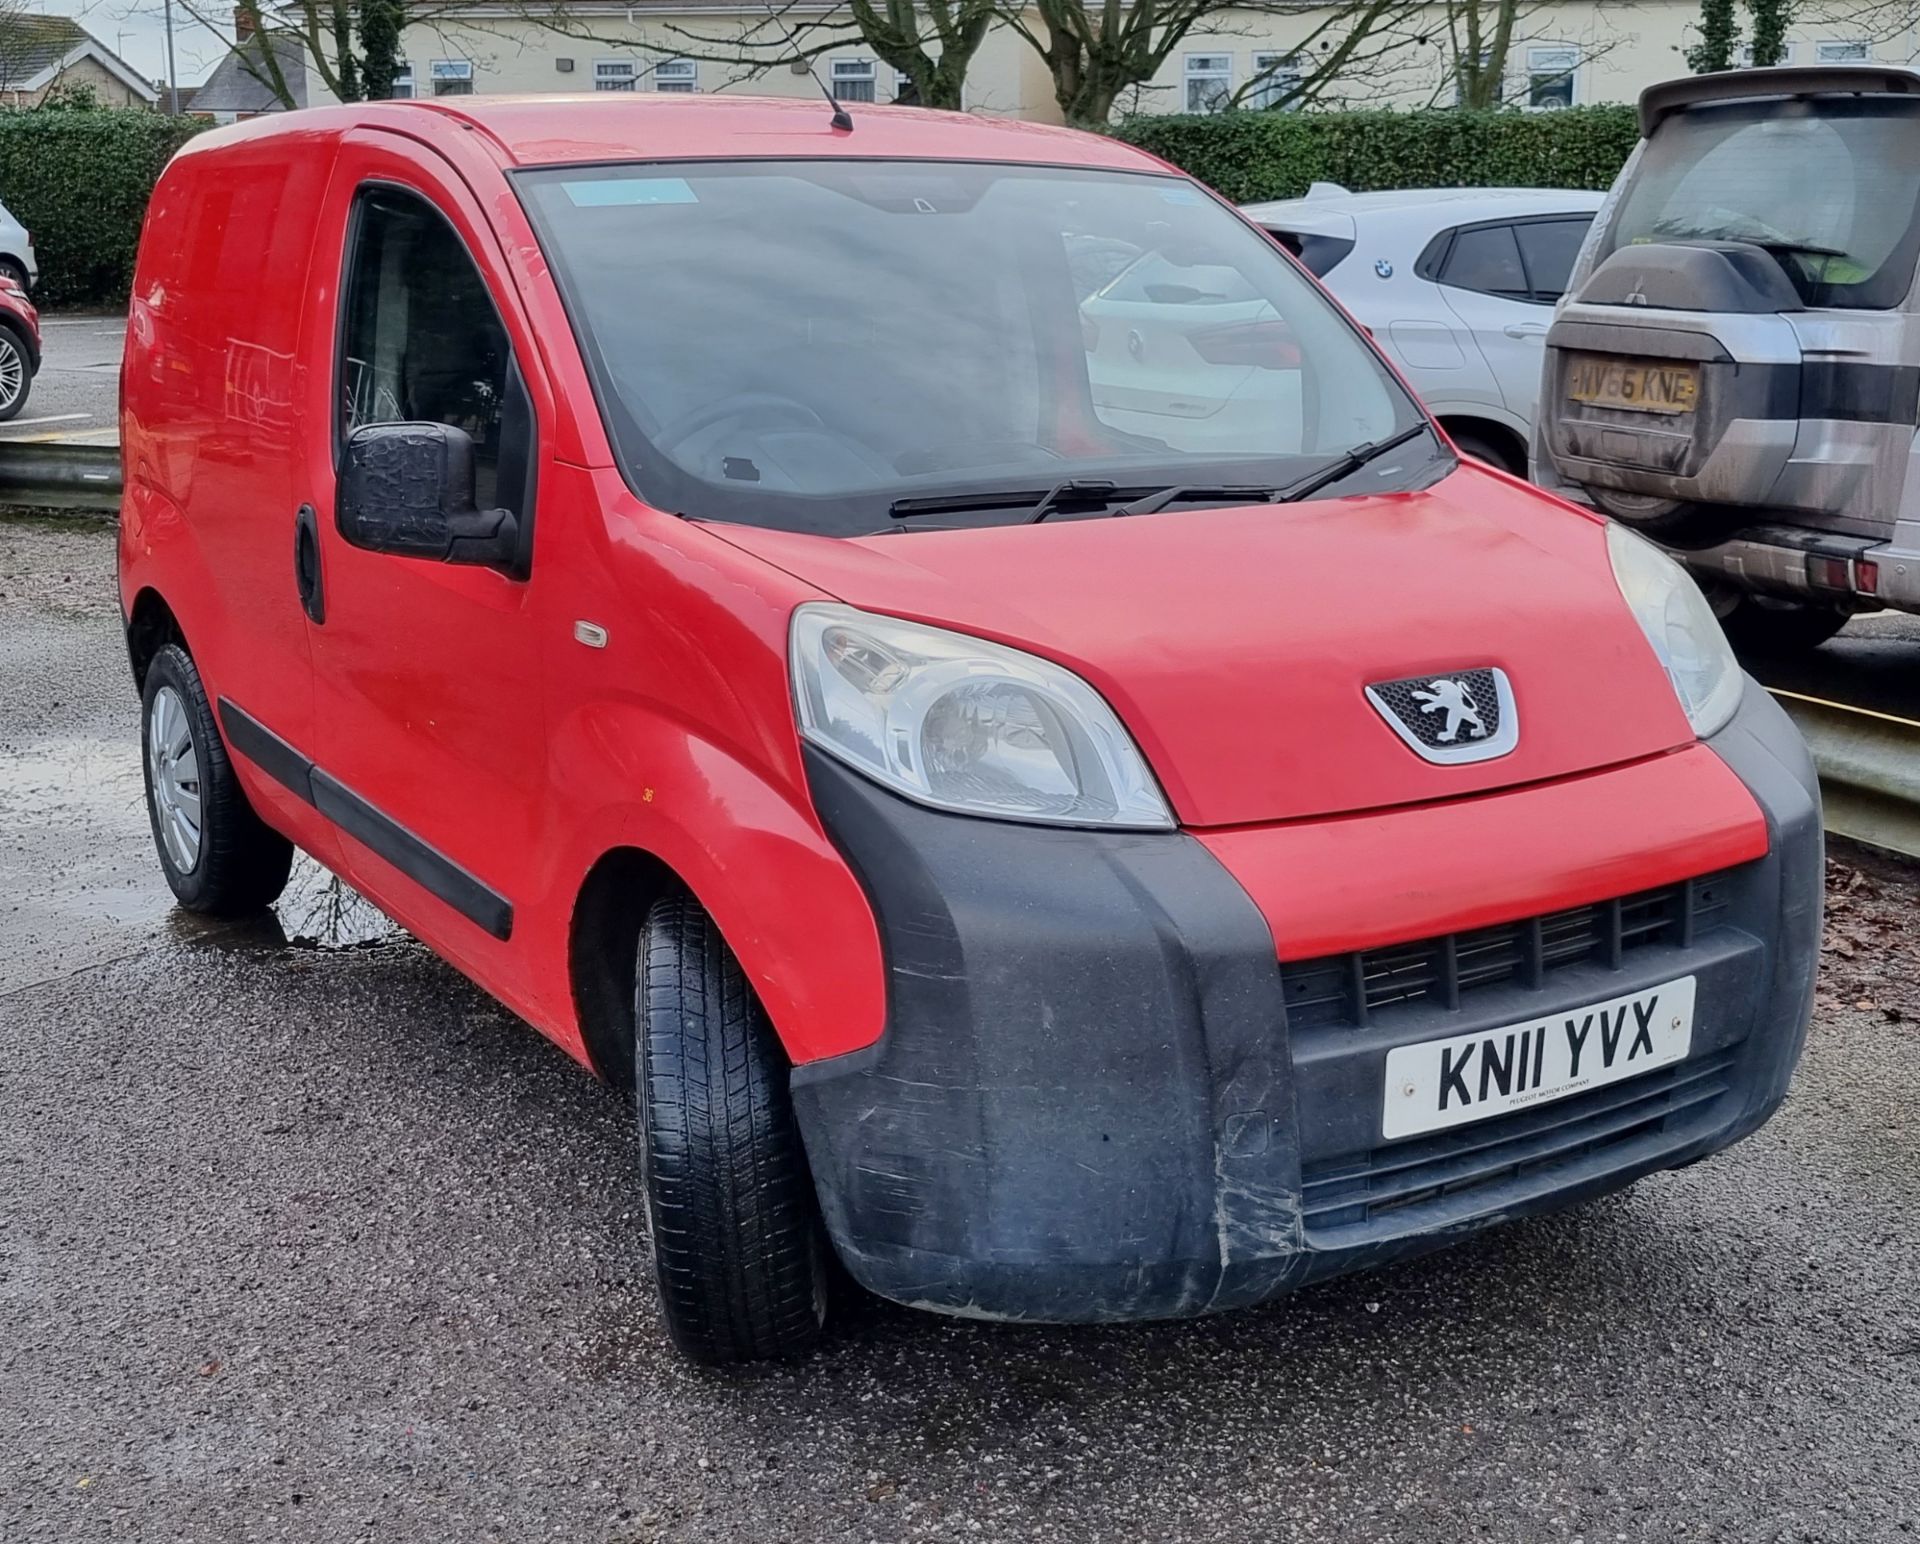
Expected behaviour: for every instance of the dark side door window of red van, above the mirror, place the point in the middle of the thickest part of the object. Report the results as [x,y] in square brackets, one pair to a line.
[423,339]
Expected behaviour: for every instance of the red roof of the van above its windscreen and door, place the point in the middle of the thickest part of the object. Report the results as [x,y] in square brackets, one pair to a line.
[533,132]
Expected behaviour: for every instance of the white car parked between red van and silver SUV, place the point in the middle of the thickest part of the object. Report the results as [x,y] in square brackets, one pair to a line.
[1458,287]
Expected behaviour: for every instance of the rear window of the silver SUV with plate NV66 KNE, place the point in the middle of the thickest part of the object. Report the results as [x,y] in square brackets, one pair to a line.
[1831,187]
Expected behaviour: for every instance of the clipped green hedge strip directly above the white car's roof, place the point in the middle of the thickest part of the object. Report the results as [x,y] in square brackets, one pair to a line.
[1253,157]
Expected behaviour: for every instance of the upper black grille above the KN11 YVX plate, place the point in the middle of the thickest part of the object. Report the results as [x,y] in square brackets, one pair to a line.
[1347,990]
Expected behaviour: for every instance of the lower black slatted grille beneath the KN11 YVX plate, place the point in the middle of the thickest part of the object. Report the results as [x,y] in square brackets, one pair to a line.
[1420,1178]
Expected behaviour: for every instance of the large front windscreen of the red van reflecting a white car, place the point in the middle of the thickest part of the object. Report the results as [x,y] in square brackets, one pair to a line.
[825,345]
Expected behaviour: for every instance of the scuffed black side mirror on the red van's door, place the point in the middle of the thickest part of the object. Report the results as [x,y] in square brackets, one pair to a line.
[410,491]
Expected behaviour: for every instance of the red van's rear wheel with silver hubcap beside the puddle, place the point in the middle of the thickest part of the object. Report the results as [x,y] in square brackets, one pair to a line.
[220,857]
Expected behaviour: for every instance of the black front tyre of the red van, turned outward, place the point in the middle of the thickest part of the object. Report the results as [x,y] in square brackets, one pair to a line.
[731,1205]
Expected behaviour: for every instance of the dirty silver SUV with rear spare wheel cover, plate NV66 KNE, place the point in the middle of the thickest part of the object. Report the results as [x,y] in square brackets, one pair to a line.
[1737,368]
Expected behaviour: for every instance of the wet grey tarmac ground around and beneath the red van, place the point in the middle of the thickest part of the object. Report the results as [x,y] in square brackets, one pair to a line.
[306,1242]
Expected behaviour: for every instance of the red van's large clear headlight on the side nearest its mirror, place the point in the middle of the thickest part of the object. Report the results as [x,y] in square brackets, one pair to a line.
[967,725]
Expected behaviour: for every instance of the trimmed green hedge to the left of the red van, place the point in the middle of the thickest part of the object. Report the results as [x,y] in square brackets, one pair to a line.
[80,181]
